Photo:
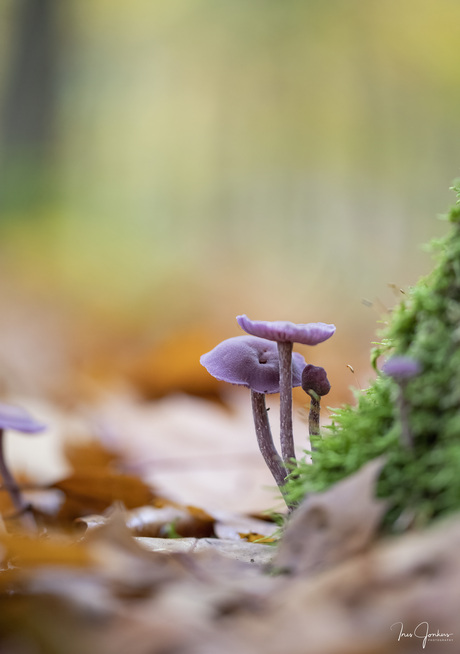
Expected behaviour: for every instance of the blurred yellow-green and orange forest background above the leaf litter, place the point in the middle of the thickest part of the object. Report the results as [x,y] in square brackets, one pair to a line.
[165,166]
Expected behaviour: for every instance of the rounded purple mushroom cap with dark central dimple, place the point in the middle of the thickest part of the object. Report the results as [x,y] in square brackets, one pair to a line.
[250,361]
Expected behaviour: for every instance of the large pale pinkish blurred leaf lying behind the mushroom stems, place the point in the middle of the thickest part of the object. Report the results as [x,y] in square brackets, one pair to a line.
[194,451]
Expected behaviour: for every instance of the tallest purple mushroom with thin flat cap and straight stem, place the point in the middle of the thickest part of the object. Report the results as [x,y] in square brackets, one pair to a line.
[285,334]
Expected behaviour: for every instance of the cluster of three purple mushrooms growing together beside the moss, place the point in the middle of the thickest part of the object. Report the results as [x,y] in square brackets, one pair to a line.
[264,361]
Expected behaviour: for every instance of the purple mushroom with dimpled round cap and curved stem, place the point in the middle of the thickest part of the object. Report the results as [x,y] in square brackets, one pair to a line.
[253,362]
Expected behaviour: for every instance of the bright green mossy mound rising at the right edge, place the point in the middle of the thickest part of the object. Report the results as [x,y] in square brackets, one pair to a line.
[424,483]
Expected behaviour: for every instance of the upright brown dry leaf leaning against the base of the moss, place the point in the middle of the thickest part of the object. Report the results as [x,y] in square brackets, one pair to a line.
[332,526]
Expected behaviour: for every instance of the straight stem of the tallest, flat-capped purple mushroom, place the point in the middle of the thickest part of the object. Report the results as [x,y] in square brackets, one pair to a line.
[286,431]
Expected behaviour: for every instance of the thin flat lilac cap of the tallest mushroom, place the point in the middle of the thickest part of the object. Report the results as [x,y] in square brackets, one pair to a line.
[310,333]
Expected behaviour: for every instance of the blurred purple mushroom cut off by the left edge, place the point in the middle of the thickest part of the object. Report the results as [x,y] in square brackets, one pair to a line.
[17,419]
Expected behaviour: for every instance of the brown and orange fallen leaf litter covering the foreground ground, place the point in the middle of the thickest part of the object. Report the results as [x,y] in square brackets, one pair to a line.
[114,581]
